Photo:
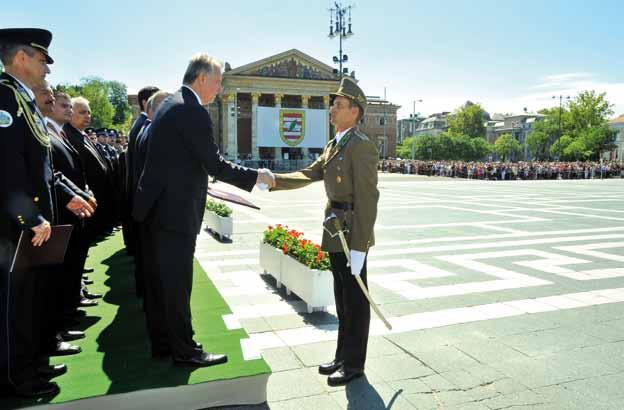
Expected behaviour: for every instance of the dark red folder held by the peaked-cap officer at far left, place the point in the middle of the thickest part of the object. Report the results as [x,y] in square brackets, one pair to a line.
[49,253]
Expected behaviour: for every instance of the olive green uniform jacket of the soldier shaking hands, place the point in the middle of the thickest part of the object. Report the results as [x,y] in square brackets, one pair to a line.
[349,172]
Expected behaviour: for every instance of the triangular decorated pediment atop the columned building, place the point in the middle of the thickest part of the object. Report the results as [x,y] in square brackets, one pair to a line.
[289,64]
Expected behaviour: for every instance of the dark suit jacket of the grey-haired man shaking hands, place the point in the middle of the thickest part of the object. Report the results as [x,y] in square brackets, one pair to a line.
[181,154]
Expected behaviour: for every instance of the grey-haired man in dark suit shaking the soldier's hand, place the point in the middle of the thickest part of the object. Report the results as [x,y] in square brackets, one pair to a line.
[170,200]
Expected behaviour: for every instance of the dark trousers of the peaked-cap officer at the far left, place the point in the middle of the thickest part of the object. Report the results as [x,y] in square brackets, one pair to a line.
[17,334]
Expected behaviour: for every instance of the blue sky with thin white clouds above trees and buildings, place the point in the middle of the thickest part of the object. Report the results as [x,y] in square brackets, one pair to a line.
[504,55]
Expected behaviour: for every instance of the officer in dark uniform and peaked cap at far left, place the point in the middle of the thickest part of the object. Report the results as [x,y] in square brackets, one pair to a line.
[27,203]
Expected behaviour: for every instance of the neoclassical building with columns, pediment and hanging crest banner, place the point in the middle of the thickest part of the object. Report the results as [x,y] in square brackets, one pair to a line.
[278,108]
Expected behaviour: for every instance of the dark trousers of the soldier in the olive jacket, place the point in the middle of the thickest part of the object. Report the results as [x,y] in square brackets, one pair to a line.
[353,313]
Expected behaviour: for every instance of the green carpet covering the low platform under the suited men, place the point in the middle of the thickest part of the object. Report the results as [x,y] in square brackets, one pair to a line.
[115,355]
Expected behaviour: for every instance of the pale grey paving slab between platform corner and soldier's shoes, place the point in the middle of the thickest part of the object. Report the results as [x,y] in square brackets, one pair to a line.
[292,384]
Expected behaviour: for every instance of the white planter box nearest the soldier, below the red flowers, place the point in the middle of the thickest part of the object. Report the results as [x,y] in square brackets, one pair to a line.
[315,287]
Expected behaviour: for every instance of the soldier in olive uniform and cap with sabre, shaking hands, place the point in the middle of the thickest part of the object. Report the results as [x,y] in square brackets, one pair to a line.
[348,167]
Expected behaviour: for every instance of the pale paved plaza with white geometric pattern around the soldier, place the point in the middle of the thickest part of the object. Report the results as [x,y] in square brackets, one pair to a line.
[502,295]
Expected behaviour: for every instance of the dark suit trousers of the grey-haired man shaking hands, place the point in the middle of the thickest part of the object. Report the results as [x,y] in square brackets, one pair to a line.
[168,289]
